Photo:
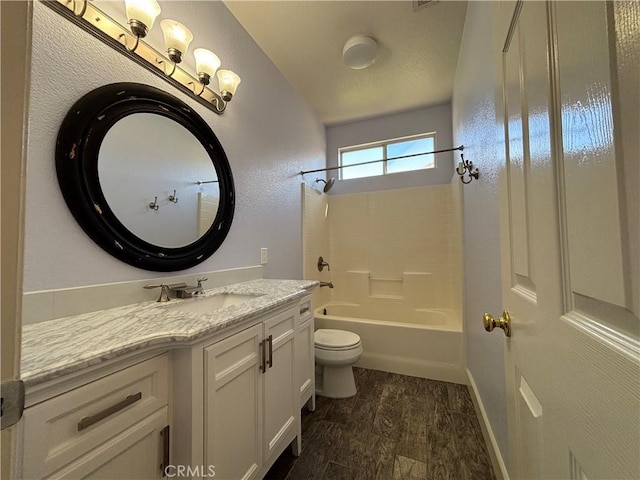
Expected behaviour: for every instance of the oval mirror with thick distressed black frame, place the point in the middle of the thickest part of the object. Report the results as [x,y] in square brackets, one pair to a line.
[145,177]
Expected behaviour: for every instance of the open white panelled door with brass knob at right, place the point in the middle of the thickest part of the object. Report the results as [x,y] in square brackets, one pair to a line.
[570,239]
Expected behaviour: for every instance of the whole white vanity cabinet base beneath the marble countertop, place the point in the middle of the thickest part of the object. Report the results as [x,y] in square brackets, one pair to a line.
[232,396]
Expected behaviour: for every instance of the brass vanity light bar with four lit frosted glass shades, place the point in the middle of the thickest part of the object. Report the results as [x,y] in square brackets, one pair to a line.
[128,40]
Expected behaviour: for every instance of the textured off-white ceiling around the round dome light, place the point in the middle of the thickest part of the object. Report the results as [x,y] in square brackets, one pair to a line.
[417,52]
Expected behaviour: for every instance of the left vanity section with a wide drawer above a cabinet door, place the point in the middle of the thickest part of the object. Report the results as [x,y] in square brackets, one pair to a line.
[113,427]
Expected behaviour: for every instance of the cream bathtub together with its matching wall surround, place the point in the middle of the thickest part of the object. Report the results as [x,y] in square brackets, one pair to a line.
[396,265]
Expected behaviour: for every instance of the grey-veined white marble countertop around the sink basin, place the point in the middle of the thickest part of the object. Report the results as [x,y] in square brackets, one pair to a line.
[65,345]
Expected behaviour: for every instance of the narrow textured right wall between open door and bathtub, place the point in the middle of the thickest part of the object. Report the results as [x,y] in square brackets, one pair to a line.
[475,126]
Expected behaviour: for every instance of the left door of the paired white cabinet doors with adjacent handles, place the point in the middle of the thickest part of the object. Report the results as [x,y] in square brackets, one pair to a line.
[233,405]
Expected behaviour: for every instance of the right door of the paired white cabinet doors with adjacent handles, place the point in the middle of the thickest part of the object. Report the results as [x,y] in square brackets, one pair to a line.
[281,392]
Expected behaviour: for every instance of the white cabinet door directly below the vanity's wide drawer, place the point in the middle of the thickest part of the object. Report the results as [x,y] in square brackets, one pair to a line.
[135,454]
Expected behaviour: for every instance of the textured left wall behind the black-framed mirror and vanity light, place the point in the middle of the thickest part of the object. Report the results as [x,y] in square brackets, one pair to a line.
[268,133]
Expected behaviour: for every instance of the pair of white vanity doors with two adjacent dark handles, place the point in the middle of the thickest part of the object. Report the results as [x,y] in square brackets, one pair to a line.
[251,397]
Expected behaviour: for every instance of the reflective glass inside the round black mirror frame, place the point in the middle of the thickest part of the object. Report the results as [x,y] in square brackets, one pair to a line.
[147,155]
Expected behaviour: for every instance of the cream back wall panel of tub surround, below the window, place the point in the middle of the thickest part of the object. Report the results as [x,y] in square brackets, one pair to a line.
[395,247]
